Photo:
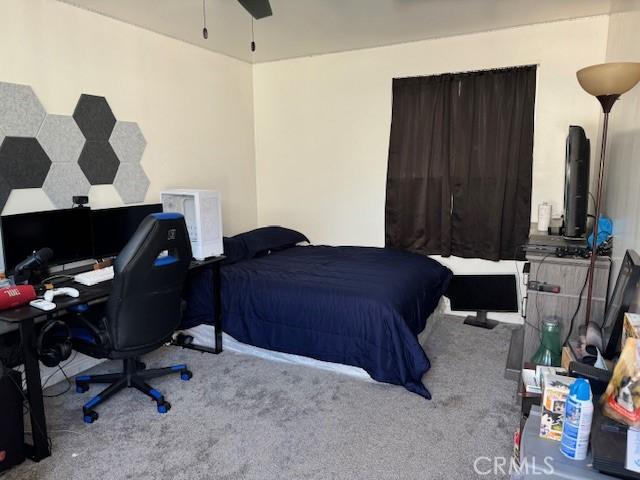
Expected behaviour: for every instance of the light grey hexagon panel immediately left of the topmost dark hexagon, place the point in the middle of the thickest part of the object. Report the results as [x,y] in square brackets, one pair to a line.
[61,138]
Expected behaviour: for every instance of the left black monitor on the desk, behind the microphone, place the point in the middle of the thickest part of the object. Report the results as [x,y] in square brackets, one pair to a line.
[67,232]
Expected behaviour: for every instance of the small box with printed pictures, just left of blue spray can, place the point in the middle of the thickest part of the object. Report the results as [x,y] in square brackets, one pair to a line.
[555,390]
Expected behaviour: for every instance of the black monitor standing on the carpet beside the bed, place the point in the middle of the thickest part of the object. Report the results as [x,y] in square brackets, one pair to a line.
[483,293]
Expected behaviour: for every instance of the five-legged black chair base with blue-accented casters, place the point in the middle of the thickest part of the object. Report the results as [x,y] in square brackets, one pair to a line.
[133,375]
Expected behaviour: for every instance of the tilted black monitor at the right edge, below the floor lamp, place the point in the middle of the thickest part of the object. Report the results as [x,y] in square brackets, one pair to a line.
[625,298]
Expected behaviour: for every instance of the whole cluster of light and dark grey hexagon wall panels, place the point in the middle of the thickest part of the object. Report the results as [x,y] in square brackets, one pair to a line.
[65,155]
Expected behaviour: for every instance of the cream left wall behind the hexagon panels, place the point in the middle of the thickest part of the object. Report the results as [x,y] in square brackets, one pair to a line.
[194,107]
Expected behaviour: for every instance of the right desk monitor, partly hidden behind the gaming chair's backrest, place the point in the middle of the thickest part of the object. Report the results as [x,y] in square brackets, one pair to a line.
[113,227]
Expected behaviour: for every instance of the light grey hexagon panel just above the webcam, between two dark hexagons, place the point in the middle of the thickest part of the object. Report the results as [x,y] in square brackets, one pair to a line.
[64,181]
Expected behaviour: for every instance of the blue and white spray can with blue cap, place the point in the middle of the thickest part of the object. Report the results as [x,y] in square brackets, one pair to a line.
[577,421]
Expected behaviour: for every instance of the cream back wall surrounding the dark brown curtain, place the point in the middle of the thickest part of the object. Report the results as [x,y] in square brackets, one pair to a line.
[322,123]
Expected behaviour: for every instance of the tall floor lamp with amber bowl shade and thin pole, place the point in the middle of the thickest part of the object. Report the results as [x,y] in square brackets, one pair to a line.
[606,82]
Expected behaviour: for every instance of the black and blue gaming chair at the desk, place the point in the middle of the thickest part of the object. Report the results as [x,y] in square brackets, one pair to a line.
[142,312]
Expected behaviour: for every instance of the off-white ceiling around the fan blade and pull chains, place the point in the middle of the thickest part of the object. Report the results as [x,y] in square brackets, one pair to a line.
[310,27]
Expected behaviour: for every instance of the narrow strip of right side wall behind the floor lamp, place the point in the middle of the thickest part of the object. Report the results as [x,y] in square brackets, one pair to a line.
[622,198]
